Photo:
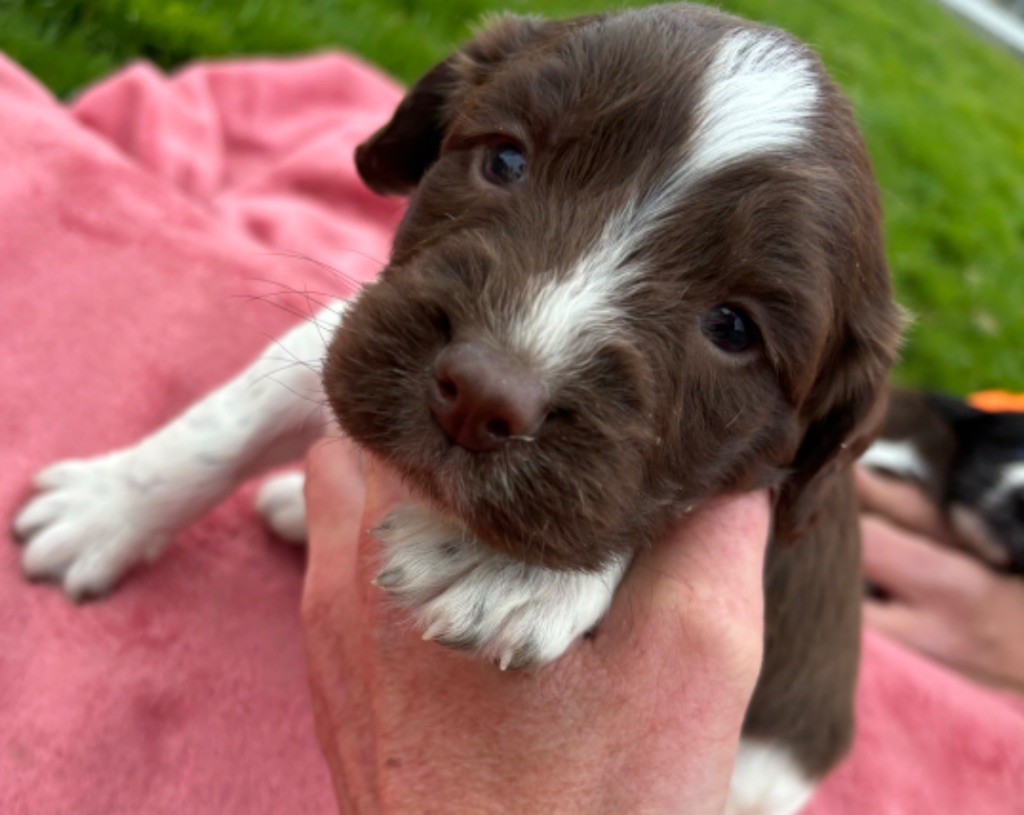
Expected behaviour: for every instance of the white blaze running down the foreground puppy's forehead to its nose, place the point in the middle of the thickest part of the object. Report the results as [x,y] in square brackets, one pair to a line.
[760,92]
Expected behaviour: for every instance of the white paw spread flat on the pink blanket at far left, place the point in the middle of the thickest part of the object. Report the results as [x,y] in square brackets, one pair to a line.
[90,524]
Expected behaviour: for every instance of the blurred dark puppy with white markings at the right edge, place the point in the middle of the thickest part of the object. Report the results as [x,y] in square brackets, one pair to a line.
[971,463]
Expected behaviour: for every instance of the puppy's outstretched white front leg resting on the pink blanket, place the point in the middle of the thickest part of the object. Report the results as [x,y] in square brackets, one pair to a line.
[93,520]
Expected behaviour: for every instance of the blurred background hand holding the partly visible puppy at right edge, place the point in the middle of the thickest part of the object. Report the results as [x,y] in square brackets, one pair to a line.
[942,603]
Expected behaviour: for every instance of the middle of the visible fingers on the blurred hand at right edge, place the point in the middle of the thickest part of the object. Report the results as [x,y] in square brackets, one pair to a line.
[918,571]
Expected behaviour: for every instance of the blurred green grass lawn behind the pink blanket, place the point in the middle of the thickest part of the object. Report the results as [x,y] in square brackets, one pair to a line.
[943,111]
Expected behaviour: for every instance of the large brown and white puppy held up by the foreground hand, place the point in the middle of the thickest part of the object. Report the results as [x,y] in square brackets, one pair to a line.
[643,265]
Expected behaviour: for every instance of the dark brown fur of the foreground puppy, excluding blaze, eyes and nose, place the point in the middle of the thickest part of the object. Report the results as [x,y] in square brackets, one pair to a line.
[659,419]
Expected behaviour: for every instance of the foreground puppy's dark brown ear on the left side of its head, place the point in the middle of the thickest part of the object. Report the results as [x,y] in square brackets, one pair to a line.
[394,160]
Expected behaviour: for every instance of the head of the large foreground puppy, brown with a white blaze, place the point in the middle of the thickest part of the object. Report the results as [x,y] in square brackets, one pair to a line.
[642,265]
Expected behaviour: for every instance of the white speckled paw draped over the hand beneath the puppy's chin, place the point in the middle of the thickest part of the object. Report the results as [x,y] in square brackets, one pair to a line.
[470,596]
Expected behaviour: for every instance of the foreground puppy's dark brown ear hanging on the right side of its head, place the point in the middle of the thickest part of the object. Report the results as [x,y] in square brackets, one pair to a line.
[846,410]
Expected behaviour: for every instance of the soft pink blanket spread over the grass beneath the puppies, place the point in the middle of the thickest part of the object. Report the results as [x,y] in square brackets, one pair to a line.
[136,230]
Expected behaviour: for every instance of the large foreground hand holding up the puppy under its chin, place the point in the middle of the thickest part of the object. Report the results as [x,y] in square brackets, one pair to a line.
[645,717]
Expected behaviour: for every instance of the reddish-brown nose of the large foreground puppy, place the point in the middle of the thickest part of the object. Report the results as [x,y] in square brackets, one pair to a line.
[483,400]
